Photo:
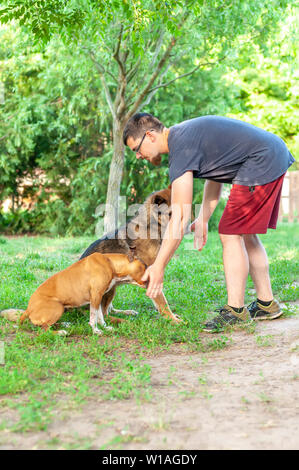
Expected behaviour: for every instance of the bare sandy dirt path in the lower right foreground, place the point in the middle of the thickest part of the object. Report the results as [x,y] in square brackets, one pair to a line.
[245,396]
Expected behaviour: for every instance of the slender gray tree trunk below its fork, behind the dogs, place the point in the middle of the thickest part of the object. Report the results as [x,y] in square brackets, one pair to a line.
[115,177]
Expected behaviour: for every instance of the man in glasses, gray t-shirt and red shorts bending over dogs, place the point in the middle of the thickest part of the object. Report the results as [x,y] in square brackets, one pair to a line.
[220,150]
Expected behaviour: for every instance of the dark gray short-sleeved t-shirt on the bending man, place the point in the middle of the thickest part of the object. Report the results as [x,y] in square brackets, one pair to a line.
[227,151]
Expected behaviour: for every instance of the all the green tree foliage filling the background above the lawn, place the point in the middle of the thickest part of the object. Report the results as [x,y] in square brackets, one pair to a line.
[56,139]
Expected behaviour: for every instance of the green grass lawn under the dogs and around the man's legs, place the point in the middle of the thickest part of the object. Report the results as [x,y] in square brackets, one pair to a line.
[40,368]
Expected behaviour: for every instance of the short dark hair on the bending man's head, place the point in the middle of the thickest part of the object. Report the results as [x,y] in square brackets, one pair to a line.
[138,124]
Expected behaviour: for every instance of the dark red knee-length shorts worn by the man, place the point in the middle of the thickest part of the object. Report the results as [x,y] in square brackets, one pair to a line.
[251,209]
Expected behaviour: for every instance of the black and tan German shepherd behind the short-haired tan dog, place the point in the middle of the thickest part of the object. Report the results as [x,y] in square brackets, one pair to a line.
[140,238]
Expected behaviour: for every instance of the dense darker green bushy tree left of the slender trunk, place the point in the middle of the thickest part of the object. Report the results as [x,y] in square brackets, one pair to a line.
[51,151]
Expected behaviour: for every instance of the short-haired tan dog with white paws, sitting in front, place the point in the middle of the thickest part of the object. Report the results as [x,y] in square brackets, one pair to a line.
[84,282]
